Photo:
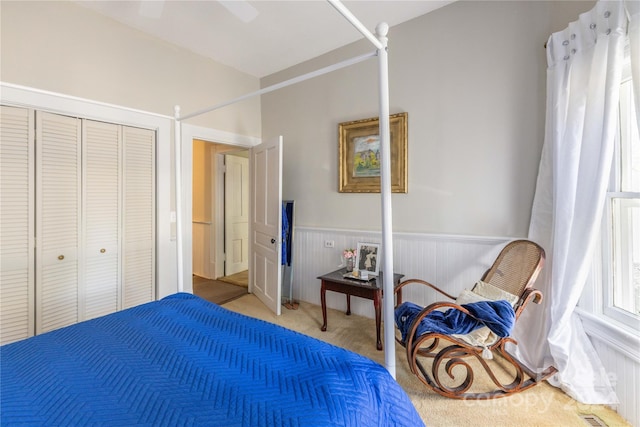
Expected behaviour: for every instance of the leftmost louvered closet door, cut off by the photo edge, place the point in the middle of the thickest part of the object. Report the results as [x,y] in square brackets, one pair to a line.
[16,224]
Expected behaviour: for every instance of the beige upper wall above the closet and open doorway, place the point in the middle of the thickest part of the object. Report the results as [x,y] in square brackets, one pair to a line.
[62,47]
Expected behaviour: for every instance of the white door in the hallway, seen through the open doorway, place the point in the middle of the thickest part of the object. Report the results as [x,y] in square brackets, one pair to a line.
[236,212]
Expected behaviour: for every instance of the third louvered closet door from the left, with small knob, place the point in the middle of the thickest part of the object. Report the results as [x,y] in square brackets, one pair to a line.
[100,278]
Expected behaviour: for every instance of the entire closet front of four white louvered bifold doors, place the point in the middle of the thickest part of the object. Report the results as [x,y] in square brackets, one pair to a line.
[77,220]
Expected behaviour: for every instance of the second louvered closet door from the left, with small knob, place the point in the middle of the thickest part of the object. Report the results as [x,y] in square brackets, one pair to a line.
[58,165]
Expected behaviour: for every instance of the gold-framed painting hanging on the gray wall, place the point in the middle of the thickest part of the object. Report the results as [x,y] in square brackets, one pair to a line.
[359,168]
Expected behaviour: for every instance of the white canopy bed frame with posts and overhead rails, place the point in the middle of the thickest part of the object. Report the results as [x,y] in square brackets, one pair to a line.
[379,41]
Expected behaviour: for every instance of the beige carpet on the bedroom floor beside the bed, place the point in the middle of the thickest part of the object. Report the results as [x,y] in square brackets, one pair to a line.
[542,405]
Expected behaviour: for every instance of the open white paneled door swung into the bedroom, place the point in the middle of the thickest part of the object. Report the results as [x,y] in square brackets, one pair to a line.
[266,222]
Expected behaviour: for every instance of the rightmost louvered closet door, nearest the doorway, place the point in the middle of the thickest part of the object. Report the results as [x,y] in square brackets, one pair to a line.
[138,254]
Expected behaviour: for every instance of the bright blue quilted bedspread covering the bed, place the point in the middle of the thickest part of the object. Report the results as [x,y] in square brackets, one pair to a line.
[185,361]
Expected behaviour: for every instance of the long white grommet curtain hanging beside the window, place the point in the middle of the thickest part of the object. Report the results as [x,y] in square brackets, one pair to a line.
[583,80]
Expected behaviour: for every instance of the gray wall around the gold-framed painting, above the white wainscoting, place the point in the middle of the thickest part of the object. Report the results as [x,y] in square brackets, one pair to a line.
[472,77]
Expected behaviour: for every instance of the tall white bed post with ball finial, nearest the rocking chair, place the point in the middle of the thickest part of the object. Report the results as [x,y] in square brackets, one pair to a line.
[385,191]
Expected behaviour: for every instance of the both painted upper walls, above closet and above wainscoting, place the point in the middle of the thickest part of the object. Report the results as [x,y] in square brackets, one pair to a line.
[471,76]
